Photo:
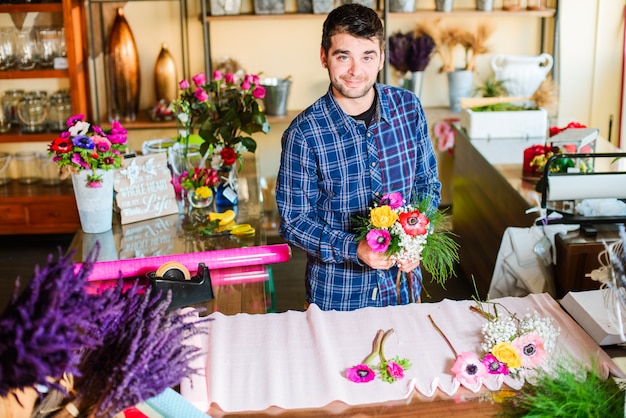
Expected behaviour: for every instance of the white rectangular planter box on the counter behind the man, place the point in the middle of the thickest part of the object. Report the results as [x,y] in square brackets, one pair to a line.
[505,124]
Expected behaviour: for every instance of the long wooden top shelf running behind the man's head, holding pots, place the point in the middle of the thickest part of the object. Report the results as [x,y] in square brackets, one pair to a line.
[419,13]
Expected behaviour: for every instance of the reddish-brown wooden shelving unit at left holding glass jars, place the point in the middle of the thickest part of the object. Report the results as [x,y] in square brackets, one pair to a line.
[39,209]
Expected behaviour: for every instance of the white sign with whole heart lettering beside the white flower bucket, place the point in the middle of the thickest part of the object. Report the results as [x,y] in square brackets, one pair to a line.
[144,188]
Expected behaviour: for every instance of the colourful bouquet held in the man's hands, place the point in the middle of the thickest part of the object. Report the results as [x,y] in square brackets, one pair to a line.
[410,232]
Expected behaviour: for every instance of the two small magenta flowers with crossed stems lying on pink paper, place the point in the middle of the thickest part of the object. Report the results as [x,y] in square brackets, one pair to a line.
[387,370]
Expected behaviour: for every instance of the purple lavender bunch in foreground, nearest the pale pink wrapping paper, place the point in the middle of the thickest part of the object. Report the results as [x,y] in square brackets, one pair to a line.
[143,353]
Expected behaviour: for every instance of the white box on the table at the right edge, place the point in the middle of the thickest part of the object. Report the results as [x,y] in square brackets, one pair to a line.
[590,312]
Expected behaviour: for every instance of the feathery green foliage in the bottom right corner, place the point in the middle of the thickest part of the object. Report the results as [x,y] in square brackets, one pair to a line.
[567,393]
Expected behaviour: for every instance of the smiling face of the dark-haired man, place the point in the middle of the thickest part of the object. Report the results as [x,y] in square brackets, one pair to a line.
[353,64]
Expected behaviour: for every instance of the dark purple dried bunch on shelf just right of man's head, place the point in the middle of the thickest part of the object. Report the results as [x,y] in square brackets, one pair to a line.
[408,53]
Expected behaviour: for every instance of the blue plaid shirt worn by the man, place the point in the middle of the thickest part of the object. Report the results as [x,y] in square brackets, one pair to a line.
[331,168]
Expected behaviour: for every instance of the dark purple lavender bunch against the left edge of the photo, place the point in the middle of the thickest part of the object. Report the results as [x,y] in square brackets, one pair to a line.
[44,329]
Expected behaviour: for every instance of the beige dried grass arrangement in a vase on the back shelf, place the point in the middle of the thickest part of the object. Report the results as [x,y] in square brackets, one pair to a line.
[448,39]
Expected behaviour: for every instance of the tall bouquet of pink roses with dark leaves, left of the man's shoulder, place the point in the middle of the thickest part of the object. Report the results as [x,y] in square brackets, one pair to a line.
[225,111]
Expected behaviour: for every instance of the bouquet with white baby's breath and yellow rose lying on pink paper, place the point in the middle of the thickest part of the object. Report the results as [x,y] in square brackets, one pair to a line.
[510,344]
